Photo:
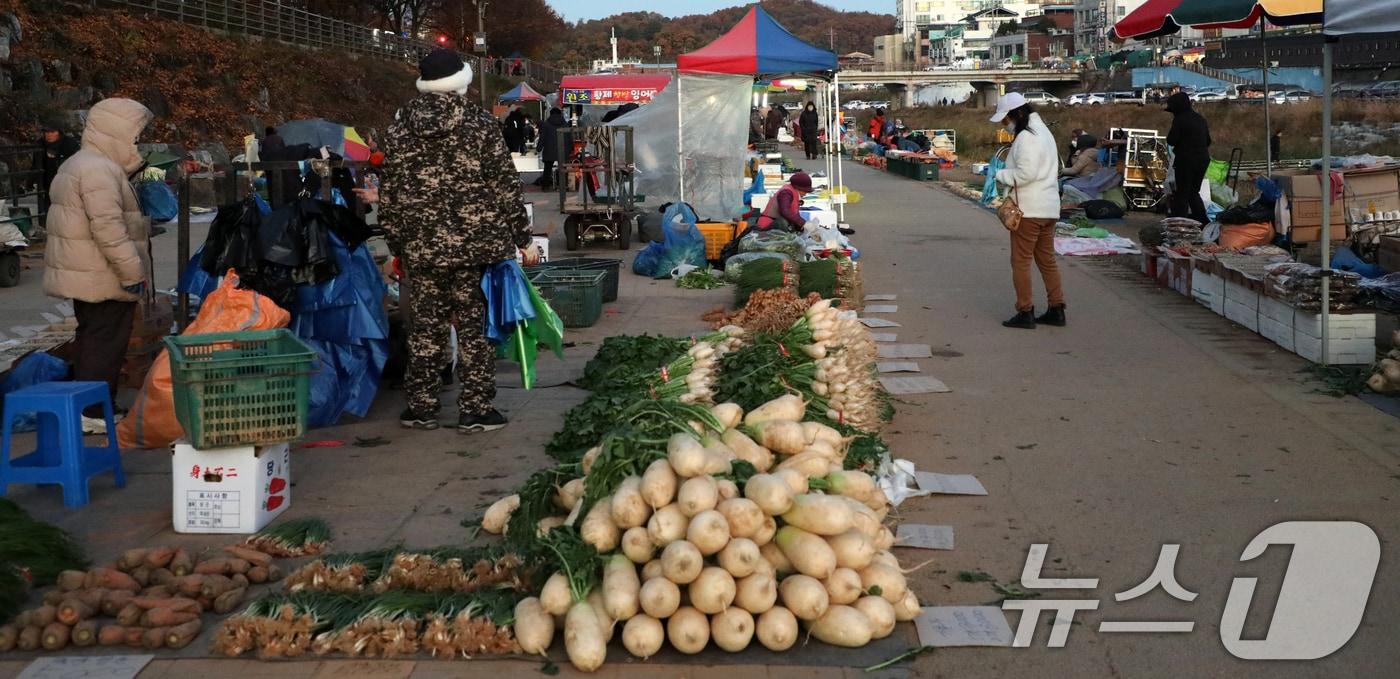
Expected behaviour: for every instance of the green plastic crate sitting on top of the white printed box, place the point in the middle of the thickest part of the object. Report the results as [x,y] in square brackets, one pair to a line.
[241,388]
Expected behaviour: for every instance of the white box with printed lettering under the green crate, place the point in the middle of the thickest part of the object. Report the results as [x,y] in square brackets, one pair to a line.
[229,491]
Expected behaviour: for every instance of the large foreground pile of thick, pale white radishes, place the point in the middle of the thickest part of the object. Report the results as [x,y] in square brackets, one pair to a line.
[695,561]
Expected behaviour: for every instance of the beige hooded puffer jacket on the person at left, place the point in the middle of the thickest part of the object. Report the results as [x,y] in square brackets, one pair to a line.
[99,239]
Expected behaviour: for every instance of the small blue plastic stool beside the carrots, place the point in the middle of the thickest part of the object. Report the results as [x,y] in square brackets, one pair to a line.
[61,457]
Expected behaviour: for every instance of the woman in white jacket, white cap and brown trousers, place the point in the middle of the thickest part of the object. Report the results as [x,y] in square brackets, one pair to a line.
[1032,180]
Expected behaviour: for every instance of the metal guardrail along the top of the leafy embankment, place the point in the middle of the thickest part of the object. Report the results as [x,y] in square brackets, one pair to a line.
[275,22]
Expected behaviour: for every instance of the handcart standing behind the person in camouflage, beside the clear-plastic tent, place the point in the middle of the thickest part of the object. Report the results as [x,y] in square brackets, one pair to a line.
[597,185]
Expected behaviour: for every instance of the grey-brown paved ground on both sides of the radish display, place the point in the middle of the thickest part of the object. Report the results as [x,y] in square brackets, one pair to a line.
[1147,422]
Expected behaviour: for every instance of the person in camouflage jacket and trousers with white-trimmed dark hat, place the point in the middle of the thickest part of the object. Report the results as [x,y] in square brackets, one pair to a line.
[450,208]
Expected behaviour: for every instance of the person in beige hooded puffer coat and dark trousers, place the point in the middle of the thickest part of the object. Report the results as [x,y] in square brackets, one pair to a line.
[99,248]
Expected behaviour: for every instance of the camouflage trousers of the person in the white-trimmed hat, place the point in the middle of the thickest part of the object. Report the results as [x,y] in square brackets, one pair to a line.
[440,300]
